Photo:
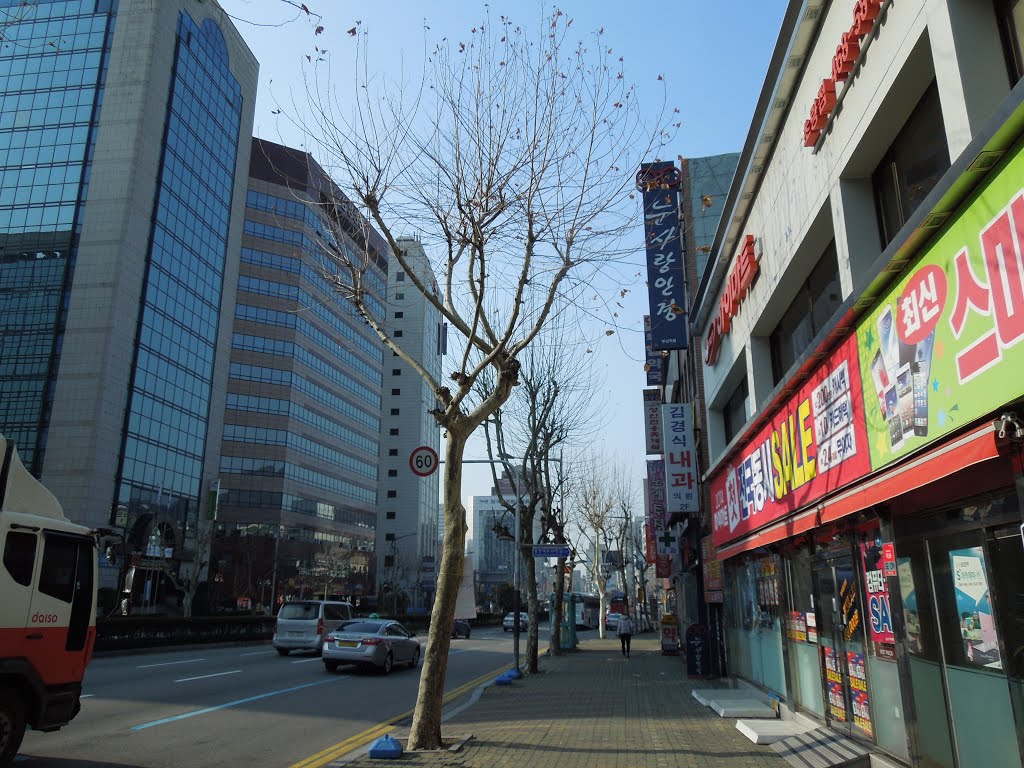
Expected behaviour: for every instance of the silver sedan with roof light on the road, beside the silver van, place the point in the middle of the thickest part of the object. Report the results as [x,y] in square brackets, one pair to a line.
[371,644]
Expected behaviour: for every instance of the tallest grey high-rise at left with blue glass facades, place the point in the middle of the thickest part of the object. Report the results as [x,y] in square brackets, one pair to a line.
[122,185]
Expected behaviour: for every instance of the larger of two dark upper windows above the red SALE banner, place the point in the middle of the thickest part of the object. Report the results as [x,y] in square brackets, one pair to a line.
[812,310]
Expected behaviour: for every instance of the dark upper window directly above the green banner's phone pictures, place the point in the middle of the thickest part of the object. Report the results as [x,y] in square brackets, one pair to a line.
[915,162]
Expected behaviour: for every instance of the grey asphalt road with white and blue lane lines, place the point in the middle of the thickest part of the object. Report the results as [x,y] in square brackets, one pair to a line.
[240,706]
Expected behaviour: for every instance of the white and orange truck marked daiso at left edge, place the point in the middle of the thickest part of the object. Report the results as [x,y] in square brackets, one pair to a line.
[48,607]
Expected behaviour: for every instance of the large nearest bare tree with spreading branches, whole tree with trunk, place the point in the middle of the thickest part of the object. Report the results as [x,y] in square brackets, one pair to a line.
[515,158]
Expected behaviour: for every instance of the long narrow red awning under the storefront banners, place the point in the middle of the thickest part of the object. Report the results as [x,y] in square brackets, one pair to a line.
[968,450]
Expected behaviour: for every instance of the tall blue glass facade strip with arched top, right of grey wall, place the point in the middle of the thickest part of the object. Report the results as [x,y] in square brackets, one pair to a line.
[169,400]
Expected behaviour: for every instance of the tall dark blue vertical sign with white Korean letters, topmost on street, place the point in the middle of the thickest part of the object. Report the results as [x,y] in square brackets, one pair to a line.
[666,286]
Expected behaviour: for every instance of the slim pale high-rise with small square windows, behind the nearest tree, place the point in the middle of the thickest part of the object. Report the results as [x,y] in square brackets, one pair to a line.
[407,542]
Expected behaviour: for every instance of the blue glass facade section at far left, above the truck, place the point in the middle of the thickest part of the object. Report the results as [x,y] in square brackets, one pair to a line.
[53,68]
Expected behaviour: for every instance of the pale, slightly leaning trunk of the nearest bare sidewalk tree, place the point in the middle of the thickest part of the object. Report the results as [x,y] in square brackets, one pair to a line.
[426,731]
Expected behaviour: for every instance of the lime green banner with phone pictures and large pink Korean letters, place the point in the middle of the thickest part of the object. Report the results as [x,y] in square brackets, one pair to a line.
[942,350]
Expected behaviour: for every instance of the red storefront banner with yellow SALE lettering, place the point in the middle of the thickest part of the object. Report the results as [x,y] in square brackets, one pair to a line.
[815,445]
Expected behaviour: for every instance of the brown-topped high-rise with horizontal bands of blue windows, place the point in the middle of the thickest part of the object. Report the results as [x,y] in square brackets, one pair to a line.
[303,421]
